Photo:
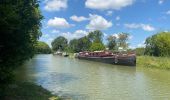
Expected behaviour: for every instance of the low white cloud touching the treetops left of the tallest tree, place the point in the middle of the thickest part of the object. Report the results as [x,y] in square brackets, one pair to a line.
[75,35]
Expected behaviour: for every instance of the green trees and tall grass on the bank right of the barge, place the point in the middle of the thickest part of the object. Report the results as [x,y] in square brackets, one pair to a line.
[156,53]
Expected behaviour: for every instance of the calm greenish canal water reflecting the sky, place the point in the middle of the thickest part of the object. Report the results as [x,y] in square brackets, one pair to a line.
[87,80]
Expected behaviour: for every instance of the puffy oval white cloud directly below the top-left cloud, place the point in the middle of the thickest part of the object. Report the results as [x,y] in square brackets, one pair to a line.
[58,23]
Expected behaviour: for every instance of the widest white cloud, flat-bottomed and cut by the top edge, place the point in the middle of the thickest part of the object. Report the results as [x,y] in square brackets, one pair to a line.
[108,4]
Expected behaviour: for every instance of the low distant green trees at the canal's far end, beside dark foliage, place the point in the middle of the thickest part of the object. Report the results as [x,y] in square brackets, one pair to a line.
[42,48]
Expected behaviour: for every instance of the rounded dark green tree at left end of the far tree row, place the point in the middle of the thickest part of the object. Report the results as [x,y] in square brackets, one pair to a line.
[60,43]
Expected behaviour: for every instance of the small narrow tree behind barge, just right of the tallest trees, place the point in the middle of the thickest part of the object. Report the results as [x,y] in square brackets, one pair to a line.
[112,42]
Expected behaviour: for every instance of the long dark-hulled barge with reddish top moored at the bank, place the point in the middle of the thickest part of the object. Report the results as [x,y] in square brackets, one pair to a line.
[109,57]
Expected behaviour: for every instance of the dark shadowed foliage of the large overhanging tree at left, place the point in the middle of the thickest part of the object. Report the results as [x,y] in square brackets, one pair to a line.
[20,29]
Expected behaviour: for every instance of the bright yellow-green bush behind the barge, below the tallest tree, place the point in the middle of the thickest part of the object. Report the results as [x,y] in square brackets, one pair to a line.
[97,47]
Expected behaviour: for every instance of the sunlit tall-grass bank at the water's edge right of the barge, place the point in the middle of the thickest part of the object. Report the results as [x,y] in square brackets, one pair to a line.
[153,62]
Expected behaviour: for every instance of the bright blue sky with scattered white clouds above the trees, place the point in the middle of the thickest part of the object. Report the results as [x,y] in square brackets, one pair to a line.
[75,18]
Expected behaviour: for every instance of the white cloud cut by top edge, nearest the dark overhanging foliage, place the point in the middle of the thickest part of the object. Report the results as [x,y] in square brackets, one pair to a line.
[55,5]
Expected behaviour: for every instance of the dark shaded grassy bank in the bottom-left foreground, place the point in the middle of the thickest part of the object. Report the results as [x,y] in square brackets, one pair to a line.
[27,91]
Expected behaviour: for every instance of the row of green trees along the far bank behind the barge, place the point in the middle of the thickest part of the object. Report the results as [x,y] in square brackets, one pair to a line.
[92,42]
